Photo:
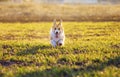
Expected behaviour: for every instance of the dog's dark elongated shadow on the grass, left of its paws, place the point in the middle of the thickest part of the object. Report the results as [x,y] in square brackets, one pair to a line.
[33,49]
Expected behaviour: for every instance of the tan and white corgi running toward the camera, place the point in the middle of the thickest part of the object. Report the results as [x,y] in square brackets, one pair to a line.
[57,36]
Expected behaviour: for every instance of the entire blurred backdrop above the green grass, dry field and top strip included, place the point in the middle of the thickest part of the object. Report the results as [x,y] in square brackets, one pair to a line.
[68,10]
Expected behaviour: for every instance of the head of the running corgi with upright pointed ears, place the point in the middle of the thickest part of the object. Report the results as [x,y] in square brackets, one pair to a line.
[57,28]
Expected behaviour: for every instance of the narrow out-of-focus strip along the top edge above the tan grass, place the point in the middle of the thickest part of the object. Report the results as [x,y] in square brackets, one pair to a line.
[65,1]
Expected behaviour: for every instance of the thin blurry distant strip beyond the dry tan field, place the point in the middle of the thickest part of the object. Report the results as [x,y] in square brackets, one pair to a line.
[66,1]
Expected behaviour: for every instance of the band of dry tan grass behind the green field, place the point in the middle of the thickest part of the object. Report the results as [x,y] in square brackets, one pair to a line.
[47,12]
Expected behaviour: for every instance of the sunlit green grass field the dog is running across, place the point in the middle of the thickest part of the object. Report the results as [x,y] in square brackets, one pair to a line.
[91,49]
